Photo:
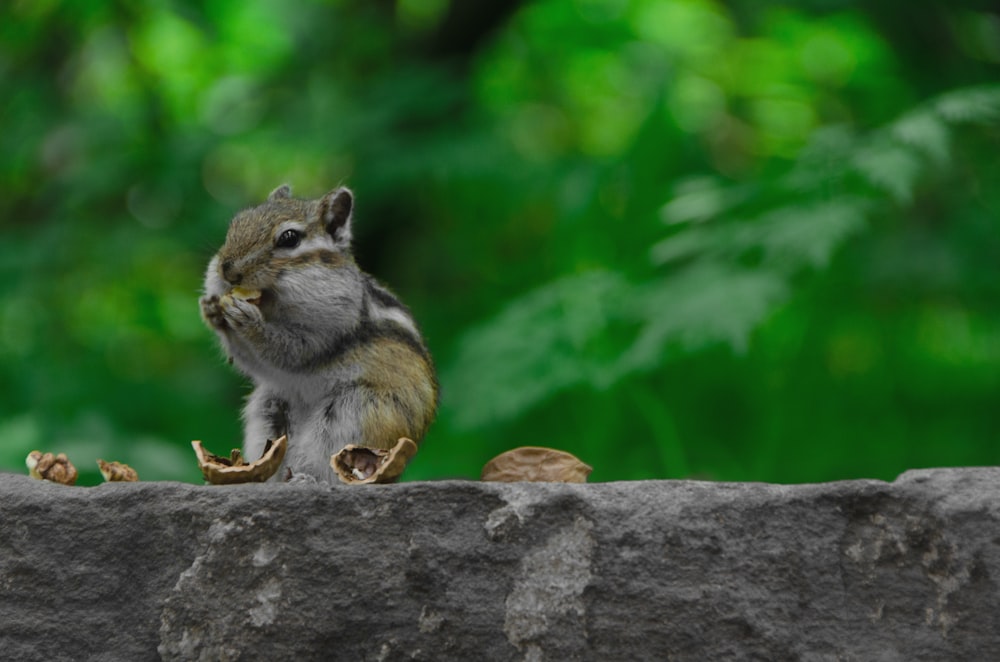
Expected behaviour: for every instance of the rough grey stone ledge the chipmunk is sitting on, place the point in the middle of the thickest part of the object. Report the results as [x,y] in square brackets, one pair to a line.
[666,570]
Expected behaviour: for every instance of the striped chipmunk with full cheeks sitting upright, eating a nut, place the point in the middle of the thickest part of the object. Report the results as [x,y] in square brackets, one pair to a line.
[335,358]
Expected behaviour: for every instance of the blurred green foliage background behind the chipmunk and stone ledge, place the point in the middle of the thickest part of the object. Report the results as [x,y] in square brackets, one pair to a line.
[741,240]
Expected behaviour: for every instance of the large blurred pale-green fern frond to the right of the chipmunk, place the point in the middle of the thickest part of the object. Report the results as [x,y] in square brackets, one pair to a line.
[600,327]
